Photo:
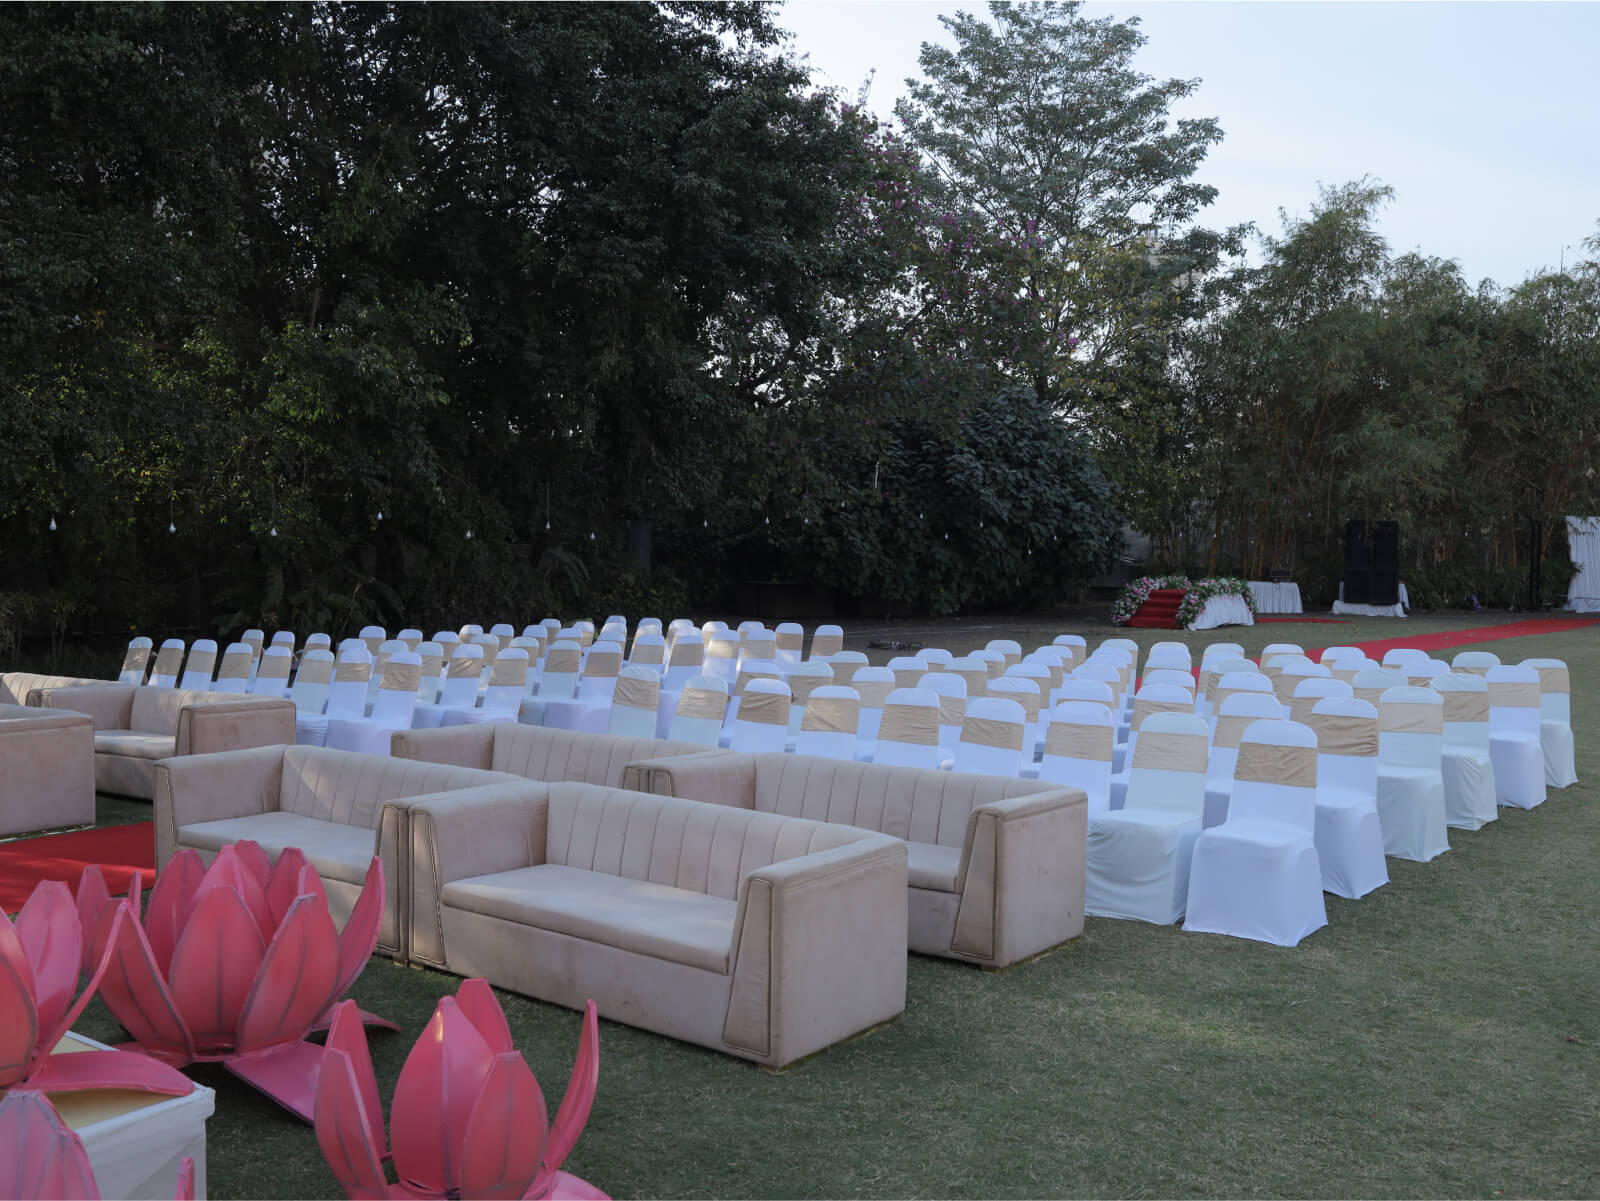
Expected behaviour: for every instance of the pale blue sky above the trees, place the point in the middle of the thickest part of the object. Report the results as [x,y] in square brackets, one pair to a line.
[1484,118]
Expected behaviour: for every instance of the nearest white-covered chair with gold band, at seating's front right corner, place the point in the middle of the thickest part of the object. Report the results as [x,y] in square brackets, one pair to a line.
[1258,874]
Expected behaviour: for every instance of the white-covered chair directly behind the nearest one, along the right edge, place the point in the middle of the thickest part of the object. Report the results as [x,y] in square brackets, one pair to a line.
[1350,837]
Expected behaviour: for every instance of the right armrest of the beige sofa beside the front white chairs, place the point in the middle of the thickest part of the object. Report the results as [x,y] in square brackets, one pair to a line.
[1022,877]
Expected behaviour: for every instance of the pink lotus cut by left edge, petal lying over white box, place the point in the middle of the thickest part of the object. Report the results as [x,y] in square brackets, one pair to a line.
[41,959]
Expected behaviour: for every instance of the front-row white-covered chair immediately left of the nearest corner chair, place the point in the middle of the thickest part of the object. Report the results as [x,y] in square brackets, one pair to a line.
[1138,856]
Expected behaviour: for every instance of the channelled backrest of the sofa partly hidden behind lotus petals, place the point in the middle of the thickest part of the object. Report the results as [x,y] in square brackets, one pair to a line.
[340,786]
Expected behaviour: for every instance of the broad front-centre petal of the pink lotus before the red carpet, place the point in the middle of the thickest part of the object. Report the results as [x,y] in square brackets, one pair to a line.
[215,967]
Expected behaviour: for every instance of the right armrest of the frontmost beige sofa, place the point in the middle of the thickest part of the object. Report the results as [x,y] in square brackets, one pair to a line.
[820,949]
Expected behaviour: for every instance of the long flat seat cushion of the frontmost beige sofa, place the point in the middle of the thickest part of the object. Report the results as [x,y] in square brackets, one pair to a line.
[634,916]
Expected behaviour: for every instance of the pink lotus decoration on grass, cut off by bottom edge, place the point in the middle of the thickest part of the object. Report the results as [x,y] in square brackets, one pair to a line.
[468,1117]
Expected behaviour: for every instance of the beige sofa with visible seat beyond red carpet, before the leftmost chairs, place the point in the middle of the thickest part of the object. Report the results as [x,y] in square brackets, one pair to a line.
[138,725]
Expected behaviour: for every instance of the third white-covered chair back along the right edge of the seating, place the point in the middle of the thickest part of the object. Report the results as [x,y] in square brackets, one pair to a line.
[1410,776]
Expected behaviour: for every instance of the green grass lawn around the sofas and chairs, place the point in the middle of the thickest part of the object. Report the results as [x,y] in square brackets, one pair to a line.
[1439,1039]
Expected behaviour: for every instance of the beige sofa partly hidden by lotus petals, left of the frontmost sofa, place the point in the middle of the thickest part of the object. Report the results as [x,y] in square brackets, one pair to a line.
[334,805]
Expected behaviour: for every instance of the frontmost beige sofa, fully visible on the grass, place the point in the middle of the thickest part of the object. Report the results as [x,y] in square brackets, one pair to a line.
[767,938]
